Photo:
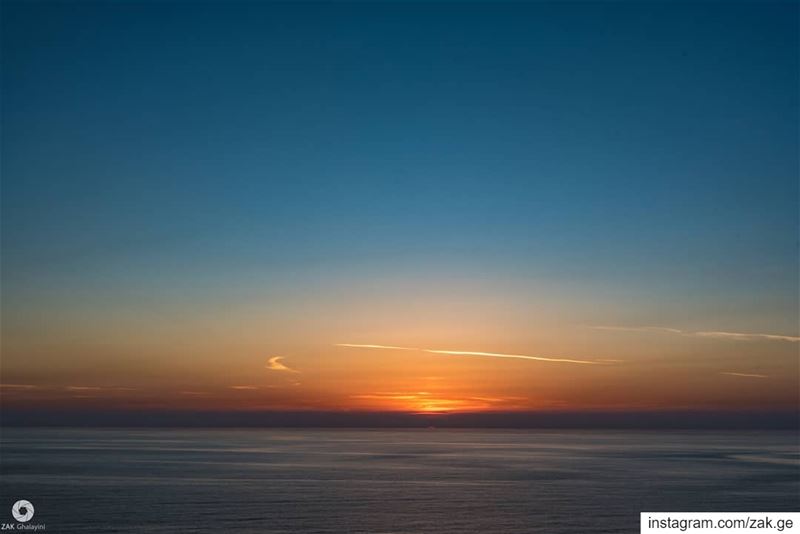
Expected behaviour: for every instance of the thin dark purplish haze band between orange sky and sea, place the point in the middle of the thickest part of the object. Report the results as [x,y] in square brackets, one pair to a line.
[650,419]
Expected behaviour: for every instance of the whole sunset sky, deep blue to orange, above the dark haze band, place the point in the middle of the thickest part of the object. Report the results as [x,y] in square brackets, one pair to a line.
[415,207]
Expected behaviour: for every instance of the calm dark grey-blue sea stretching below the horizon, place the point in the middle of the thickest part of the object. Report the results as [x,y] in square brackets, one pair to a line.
[381,481]
